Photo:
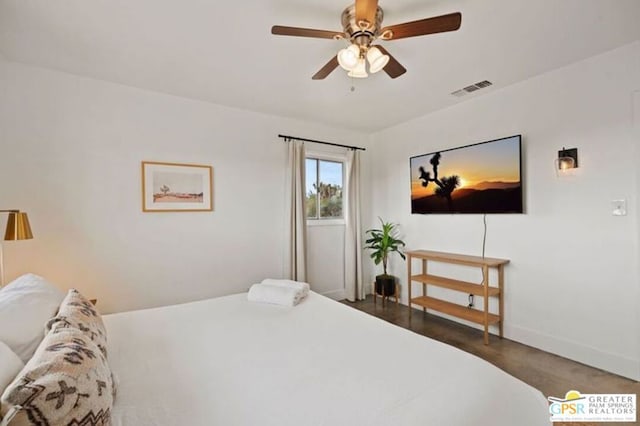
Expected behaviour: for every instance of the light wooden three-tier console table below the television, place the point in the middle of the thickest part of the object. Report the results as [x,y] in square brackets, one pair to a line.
[484,290]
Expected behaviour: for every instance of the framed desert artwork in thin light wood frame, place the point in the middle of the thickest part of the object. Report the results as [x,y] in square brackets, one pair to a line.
[175,187]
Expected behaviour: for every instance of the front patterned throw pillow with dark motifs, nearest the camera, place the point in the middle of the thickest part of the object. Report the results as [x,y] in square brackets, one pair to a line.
[66,383]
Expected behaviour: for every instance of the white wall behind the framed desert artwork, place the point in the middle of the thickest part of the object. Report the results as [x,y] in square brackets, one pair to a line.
[70,153]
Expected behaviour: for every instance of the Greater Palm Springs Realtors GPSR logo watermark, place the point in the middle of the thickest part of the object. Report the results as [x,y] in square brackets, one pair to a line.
[577,407]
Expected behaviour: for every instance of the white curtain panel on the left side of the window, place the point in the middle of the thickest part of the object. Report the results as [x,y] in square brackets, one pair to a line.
[296,249]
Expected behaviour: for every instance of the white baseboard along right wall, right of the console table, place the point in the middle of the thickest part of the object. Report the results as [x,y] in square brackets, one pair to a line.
[594,357]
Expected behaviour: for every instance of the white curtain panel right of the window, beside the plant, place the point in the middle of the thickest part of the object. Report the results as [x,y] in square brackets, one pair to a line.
[354,287]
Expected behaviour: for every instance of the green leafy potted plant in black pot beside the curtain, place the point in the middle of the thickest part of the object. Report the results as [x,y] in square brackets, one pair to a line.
[382,243]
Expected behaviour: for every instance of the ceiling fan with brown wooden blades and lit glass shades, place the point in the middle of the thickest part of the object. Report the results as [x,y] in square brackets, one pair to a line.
[362,23]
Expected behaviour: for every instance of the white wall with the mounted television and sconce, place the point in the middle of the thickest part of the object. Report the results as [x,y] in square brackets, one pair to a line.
[572,285]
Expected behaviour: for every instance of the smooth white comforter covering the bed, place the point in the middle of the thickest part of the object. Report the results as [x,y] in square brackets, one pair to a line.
[228,362]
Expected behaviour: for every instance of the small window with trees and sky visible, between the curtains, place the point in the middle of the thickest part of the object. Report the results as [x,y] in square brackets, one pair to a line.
[324,184]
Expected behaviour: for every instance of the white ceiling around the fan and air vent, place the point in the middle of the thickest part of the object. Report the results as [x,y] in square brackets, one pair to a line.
[223,52]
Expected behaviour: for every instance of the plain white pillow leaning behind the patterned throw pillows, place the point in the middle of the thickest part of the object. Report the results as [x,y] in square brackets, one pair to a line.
[26,304]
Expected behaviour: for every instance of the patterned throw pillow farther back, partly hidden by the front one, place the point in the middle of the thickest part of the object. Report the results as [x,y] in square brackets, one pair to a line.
[77,312]
